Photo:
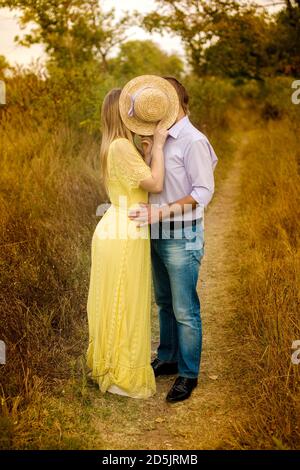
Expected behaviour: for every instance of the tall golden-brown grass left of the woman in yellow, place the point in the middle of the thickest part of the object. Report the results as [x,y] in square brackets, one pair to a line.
[49,191]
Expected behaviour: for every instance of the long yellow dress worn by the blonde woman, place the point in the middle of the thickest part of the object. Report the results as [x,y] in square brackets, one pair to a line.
[119,298]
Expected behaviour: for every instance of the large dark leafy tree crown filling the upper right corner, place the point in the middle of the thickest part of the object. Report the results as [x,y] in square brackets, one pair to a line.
[232,39]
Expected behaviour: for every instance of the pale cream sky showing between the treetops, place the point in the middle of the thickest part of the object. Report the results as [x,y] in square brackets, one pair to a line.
[16,54]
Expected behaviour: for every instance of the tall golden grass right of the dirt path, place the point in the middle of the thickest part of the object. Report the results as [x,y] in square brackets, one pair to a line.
[269,286]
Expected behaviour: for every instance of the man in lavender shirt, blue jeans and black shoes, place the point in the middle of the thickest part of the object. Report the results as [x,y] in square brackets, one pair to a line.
[177,247]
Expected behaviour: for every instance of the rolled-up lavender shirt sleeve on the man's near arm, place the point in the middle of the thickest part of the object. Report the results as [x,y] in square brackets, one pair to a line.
[200,162]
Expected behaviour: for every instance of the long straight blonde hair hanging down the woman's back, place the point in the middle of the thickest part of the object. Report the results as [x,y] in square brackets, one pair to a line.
[112,127]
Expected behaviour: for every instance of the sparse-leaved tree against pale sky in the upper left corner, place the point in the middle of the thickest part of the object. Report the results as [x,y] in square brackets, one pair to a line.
[73,31]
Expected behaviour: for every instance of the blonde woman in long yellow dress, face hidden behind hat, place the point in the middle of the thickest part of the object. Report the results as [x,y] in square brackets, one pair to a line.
[119,300]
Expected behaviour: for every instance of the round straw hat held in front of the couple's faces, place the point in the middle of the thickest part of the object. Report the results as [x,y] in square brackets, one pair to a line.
[146,100]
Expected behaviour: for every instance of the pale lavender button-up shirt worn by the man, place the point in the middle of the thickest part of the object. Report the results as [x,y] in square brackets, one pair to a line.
[190,161]
